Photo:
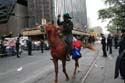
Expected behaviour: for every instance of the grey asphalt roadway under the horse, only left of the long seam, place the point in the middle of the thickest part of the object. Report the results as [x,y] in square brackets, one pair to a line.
[36,68]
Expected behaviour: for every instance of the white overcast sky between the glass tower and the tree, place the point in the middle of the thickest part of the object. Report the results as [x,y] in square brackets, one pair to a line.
[92,12]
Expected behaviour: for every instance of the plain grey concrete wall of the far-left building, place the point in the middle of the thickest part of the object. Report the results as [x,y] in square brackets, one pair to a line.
[19,21]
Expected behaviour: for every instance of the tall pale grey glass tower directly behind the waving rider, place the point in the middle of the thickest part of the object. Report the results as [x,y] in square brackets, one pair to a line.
[76,9]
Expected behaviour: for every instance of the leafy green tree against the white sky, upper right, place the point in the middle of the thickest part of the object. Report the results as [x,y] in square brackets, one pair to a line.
[115,12]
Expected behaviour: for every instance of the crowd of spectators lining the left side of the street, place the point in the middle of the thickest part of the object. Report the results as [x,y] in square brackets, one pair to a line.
[10,46]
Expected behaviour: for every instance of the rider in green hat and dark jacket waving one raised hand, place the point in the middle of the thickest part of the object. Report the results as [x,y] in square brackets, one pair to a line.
[67,27]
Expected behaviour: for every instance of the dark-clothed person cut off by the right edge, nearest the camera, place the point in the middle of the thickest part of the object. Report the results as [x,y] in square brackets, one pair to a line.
[120,63]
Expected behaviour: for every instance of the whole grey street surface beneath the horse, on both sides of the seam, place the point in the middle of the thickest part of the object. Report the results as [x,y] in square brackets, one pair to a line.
[39,68]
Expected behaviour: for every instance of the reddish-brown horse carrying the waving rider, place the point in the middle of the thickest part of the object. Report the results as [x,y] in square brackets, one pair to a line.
[58,50]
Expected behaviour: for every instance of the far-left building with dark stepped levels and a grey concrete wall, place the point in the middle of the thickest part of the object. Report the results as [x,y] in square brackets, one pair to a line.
[12,16]
